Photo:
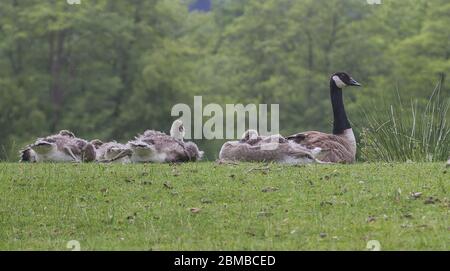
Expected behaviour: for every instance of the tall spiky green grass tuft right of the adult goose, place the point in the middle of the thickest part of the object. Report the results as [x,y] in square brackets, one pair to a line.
[408,133]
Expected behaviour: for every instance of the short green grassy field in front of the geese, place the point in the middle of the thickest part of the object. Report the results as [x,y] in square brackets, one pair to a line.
[207,206]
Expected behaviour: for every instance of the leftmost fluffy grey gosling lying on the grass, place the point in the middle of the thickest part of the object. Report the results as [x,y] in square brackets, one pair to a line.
[62,147]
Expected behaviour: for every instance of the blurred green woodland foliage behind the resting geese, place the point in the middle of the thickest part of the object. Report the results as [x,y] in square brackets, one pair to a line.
[110,69]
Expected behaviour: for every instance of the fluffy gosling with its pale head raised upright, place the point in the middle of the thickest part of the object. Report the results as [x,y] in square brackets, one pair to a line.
[158,147]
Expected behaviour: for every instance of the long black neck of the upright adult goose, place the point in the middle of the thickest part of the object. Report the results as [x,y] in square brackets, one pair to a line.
[340,120]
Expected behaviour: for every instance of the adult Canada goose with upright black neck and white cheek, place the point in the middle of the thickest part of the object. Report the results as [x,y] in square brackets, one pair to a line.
[341,145]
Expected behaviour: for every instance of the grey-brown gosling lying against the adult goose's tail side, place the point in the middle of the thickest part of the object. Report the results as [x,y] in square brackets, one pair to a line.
[254,148]
